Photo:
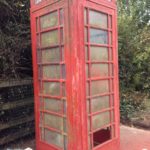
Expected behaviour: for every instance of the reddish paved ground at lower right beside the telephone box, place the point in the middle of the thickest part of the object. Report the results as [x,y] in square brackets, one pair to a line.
[134,139]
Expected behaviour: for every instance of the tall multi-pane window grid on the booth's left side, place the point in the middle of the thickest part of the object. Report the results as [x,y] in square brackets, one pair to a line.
[52,74]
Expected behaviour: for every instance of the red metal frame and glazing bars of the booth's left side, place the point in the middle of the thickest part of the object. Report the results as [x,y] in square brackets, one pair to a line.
[35,16]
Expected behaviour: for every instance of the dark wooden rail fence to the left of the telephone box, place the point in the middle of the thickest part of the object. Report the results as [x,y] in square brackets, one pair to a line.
[16,110]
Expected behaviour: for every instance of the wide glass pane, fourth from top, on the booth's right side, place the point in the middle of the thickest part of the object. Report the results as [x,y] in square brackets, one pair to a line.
[99,70]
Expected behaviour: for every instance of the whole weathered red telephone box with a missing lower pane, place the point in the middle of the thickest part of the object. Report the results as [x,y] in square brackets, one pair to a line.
[75,64]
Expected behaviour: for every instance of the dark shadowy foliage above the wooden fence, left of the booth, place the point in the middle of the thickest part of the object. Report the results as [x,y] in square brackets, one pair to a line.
[15,49]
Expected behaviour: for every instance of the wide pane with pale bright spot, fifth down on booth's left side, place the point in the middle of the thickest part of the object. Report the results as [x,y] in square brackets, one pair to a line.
[51,88]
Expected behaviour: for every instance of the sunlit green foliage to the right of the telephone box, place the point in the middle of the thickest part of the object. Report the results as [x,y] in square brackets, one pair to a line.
[134,54]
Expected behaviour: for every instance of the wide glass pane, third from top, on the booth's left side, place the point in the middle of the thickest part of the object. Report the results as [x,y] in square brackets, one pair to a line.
[51,55]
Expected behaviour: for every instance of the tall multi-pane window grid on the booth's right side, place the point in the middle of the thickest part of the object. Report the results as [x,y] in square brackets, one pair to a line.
[95,38]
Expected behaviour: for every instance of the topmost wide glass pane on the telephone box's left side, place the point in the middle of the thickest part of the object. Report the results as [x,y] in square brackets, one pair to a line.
[49,20]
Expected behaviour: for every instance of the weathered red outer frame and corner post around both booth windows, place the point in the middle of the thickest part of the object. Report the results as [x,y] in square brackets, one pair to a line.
[74,51]
